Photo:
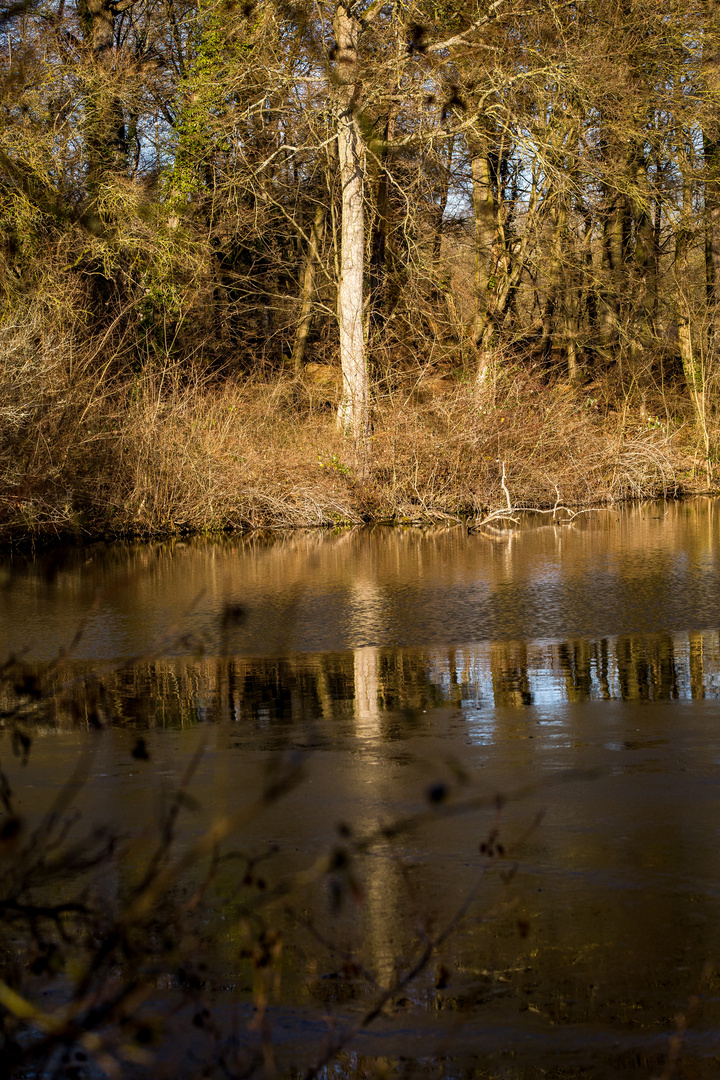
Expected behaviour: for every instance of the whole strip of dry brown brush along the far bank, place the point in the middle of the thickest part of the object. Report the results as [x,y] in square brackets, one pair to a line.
[166,452]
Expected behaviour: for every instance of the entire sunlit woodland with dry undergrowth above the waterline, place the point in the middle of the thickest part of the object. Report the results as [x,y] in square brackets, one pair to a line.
[316,263]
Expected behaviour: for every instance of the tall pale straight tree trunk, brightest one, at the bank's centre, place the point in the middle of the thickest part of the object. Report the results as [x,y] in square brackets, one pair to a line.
[355,412]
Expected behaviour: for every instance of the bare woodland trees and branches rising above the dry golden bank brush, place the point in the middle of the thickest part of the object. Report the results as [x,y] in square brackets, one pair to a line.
[228,192]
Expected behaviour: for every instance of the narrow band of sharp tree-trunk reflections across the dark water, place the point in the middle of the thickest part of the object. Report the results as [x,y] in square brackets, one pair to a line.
[381,685]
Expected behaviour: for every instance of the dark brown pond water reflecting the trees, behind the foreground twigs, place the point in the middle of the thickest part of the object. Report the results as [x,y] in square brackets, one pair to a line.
[536,707]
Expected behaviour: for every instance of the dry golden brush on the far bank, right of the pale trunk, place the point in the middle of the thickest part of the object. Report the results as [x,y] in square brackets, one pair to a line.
[445,450]
